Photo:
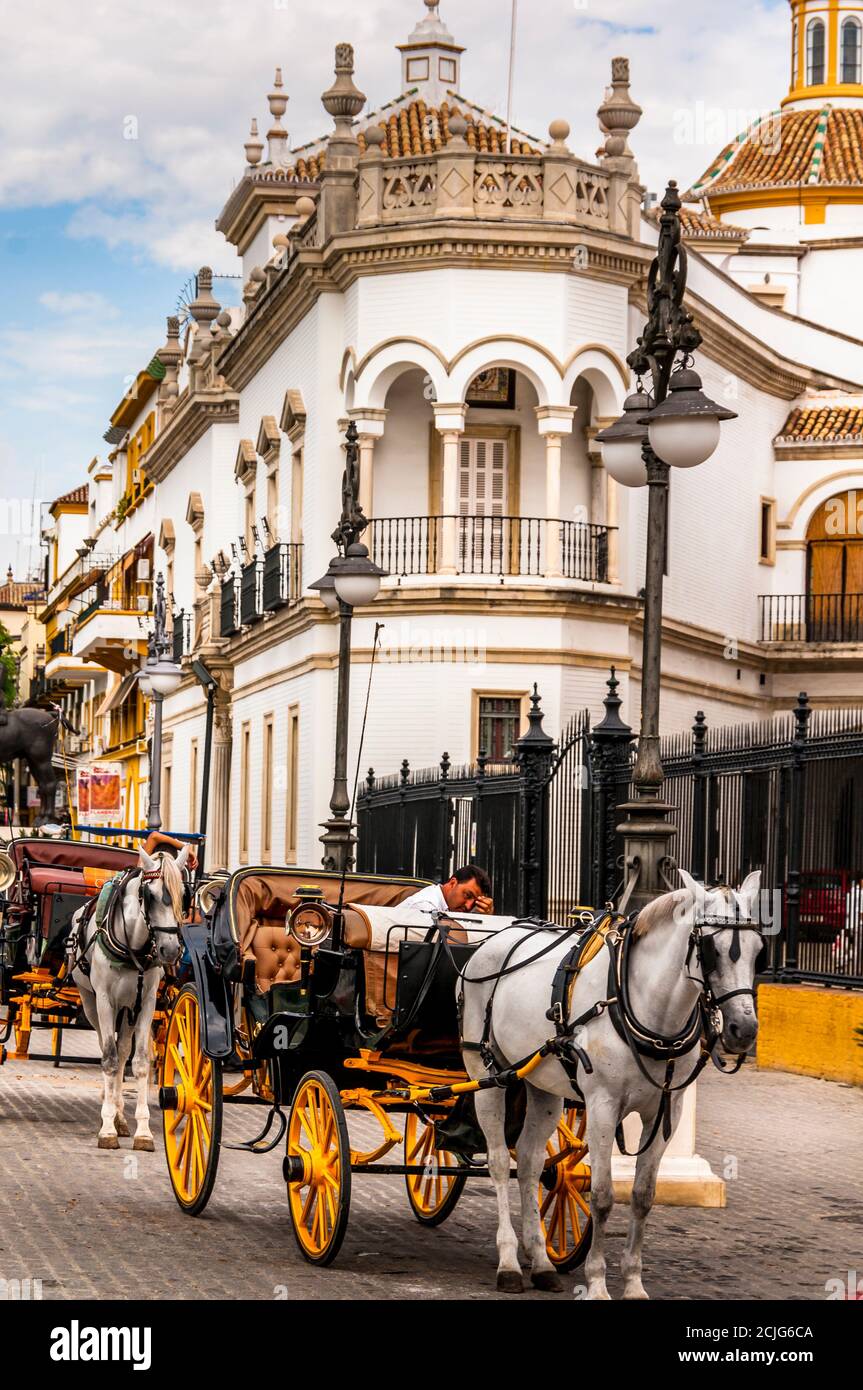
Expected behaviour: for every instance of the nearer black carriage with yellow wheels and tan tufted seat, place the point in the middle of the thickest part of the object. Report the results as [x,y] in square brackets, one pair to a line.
[326,997]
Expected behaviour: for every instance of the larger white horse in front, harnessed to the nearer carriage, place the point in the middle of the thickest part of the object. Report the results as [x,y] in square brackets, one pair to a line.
[687,945]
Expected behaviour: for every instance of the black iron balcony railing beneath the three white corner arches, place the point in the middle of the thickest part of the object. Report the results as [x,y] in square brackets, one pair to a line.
[494,547]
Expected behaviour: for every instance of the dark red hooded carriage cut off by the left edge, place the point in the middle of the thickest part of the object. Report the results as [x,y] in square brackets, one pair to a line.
[44,882]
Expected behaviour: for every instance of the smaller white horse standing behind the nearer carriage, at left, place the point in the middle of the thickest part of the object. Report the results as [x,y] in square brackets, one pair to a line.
[117,972]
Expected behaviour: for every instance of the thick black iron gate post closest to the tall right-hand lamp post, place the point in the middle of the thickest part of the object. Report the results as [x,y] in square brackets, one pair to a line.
[611,768]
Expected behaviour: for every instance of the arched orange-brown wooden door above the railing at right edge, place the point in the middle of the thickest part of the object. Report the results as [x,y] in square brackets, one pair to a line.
[835,571]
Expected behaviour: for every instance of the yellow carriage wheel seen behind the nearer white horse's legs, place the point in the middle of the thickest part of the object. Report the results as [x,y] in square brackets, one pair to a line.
[565,1193]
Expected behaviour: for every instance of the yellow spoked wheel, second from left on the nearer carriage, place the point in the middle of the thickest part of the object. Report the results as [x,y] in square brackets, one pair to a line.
[318,1168]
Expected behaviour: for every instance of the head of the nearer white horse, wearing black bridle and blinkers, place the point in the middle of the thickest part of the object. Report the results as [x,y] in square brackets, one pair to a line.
[729,942]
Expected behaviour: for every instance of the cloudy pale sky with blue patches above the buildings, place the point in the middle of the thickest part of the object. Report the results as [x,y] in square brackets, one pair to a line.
[122,137]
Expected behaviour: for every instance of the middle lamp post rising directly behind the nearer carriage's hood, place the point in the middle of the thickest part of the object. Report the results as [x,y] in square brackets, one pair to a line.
[352,580]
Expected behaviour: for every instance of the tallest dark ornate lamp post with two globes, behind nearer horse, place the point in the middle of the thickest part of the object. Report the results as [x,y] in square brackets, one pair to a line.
[673,426]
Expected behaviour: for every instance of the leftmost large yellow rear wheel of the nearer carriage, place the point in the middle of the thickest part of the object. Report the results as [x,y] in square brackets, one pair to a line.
[192,1106]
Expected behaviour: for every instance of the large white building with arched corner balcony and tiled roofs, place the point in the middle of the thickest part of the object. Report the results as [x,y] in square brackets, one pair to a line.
[469,297]
